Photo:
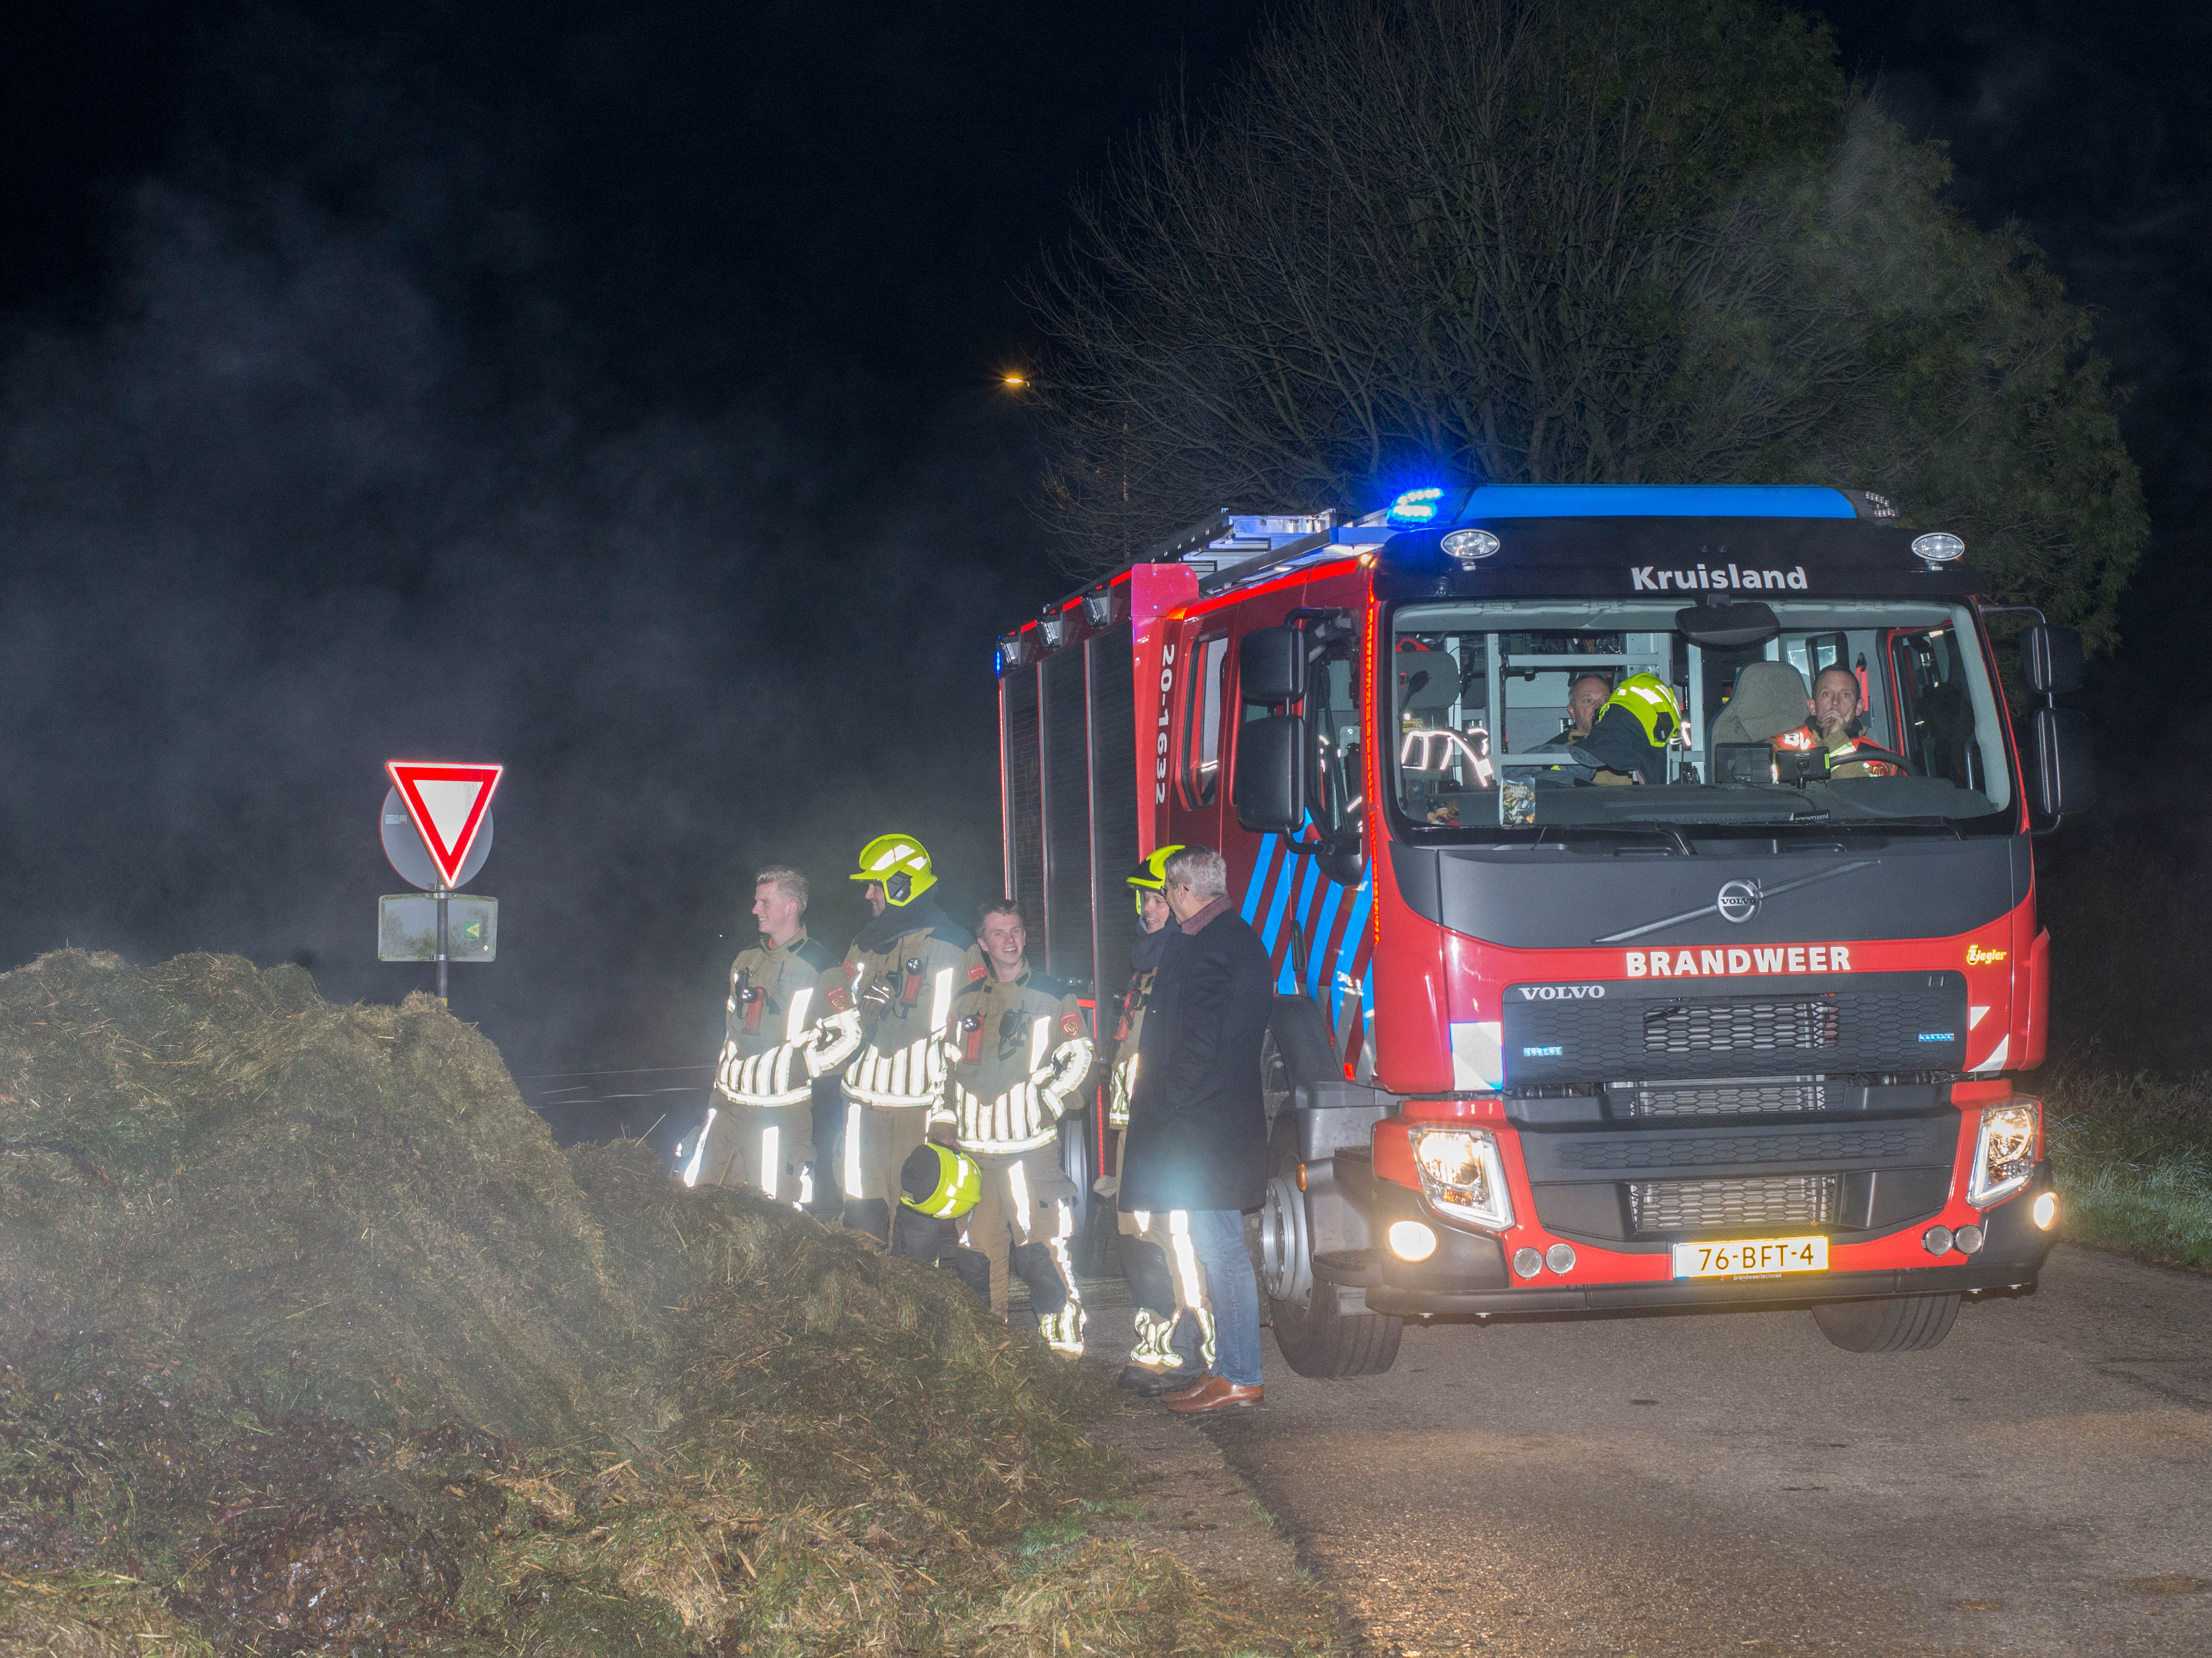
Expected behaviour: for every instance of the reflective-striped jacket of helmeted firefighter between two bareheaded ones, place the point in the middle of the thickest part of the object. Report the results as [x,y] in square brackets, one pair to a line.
[904,1003]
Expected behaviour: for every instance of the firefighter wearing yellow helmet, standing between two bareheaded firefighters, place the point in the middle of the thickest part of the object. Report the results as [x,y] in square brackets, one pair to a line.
[904,972]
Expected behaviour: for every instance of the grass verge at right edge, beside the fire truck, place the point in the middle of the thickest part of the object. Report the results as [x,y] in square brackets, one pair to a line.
[2133,1162]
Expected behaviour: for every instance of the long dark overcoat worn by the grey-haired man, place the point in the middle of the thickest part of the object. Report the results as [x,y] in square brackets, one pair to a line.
[1198,1124]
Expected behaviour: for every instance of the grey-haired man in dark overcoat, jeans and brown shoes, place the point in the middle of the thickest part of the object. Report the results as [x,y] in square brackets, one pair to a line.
[1198,1124]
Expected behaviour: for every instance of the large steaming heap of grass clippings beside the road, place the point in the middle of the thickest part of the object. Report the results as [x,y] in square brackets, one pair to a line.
[313,1341]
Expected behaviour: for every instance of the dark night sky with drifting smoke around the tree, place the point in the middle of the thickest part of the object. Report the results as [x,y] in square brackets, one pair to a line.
[616,397]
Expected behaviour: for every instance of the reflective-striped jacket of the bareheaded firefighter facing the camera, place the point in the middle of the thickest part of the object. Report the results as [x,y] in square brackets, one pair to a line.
[1019,1056]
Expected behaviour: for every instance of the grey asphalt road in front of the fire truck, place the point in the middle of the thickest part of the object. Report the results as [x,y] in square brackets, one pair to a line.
[1726,1484]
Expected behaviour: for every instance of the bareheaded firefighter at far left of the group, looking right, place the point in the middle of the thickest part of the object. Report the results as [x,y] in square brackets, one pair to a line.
[762,1122]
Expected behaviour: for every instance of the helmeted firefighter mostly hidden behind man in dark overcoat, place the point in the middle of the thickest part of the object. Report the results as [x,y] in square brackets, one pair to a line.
[1167,1283]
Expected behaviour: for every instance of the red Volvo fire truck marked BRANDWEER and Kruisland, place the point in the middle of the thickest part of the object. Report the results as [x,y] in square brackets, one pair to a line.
[1738,1033]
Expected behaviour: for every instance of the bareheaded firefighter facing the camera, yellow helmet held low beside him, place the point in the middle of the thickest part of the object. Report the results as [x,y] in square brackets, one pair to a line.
[1019,1060]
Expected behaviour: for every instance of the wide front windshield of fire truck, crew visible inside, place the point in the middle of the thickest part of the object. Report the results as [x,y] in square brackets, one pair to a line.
[1875,711]
